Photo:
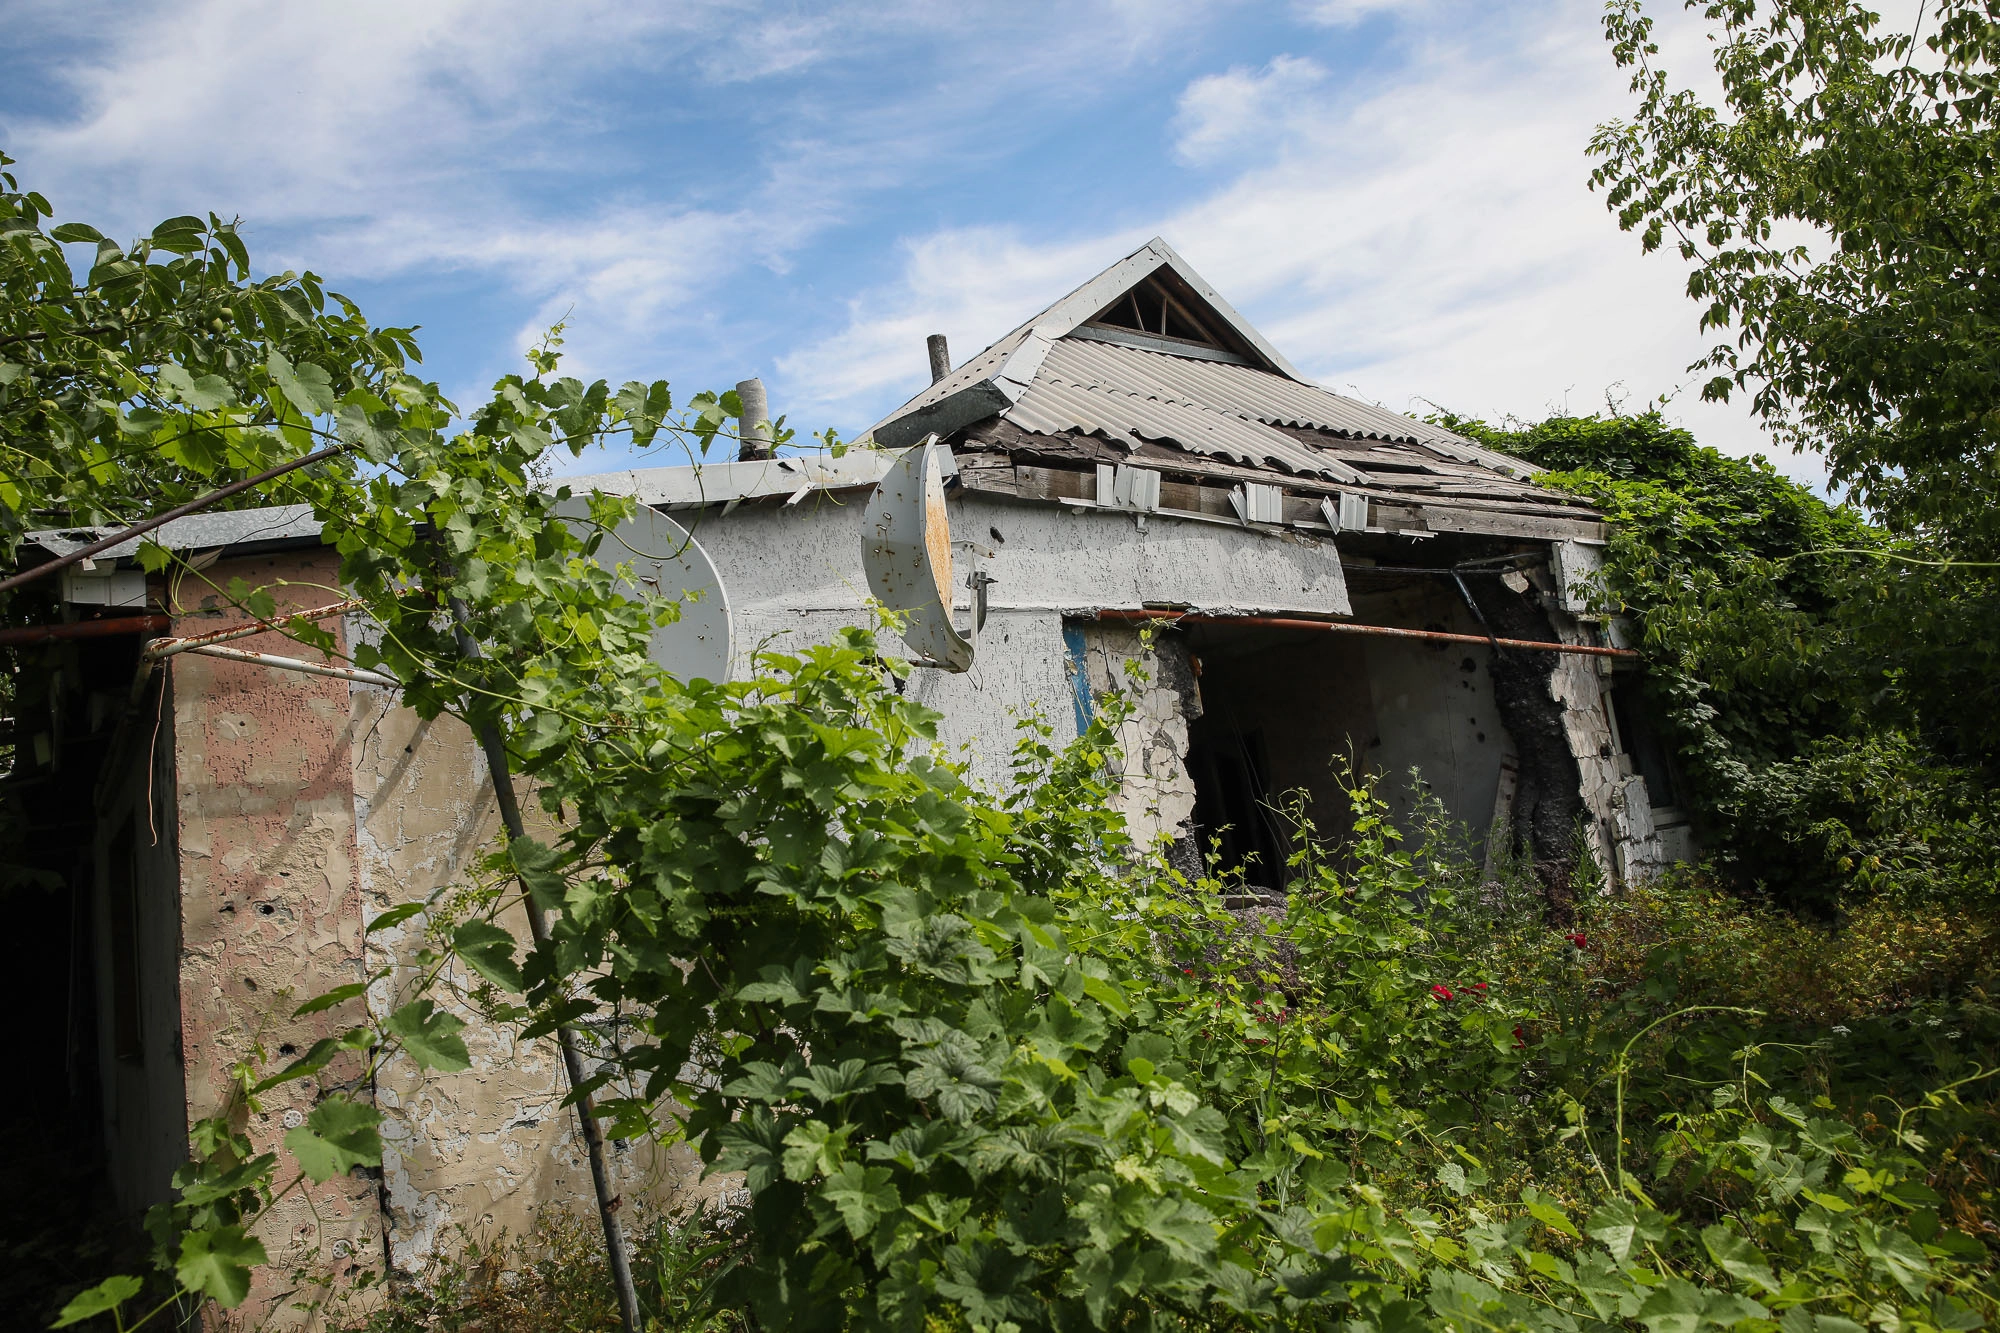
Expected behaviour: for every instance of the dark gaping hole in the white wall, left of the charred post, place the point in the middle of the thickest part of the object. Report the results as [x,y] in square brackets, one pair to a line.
[1243,732]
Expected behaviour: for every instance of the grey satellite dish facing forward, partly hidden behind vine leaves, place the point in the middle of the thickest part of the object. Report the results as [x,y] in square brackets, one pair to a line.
[667,561]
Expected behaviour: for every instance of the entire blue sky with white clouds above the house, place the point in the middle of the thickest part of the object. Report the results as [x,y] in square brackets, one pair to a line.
[1395,191]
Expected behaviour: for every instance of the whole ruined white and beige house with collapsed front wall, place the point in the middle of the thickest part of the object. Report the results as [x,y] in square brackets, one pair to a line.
[1325,581]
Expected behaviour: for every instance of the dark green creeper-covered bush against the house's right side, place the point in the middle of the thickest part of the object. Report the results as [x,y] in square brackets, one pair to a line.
[1825,686]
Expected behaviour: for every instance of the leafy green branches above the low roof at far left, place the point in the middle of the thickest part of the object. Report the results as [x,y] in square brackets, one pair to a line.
[167,369]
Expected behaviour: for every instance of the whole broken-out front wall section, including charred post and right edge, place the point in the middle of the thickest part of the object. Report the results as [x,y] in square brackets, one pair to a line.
[1233,724]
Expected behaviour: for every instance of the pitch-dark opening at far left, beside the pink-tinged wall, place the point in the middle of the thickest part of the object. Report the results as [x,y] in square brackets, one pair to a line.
[73,982]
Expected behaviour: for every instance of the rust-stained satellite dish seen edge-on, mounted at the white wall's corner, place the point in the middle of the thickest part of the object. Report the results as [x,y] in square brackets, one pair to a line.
[907,549]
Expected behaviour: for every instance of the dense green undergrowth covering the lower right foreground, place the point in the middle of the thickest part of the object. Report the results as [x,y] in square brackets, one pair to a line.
[1399,1102]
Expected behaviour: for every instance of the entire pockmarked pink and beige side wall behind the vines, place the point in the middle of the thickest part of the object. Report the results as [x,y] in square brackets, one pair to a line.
[307,808]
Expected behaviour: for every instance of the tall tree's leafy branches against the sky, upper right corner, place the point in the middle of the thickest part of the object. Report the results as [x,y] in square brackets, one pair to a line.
[1839,209]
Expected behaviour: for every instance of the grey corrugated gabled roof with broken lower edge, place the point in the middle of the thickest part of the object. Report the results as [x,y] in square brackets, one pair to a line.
[1149,365]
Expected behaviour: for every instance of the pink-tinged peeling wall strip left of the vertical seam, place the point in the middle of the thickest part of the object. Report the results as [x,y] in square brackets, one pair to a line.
[269,900]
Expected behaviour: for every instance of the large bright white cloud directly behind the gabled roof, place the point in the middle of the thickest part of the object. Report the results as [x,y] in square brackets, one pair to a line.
[1427,243]
